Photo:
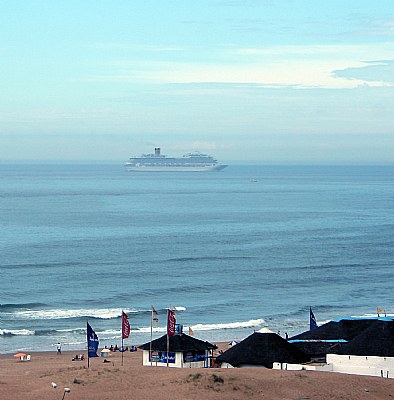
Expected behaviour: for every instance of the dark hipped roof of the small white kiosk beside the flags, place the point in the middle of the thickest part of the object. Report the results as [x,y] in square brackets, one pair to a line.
[181,342]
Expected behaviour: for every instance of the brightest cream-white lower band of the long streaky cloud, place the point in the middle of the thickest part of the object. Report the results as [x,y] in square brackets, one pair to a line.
[302,74]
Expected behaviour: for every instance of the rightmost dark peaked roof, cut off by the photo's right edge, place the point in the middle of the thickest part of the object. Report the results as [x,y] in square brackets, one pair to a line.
[376,340]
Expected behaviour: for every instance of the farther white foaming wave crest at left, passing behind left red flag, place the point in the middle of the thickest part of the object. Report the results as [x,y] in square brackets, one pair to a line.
[104,313]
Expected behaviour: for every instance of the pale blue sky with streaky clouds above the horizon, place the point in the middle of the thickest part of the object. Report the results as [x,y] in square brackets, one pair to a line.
[267,81]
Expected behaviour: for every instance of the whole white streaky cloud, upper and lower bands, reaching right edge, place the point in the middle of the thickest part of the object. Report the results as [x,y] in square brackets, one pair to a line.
[277,66]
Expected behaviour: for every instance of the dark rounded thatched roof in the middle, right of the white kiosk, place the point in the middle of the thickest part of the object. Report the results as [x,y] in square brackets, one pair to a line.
[262,349]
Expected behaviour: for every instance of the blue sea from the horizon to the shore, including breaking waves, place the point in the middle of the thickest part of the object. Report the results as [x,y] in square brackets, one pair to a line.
[246,248]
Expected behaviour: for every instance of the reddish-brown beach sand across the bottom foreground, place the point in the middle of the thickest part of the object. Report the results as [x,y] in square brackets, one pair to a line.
[32,380]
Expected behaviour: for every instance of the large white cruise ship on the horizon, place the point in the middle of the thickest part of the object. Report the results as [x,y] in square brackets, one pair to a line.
[191,162]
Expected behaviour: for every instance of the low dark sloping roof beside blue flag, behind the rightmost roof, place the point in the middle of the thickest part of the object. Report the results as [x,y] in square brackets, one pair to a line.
[343,329]
